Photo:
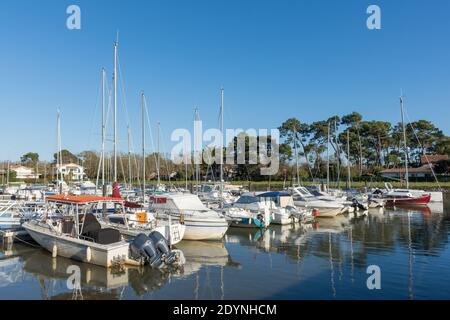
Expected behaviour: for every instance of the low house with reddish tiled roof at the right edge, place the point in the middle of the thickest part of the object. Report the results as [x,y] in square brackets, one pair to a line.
[428,164]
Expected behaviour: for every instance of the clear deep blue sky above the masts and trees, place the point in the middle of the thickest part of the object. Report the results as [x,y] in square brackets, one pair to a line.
[275,59]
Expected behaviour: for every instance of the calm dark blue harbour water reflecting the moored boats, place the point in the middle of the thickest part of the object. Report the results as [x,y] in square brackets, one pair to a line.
[327,260]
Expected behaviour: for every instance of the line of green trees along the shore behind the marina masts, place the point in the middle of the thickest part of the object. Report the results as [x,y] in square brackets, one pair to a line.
[305,149]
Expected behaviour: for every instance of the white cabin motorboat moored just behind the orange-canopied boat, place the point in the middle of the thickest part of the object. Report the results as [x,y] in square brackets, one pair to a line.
[201,222]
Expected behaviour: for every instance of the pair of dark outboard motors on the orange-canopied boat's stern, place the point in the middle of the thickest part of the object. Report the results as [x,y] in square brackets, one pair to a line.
[153,250]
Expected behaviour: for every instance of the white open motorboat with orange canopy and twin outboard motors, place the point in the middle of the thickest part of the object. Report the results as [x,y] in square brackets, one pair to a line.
[69,229]
